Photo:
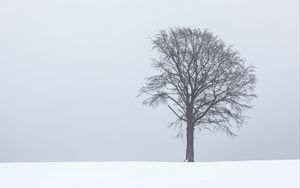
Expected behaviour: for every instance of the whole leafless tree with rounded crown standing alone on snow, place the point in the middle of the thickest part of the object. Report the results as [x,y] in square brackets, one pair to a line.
[203,82]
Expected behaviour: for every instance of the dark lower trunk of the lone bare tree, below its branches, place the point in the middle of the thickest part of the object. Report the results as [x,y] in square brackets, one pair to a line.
[189,143]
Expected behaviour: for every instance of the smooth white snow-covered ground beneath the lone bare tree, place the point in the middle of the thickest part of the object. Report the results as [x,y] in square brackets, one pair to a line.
[240,174]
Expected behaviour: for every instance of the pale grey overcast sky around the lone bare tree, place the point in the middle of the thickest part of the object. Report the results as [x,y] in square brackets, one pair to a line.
[70,71]
